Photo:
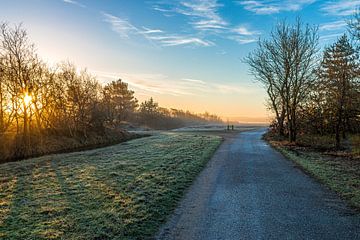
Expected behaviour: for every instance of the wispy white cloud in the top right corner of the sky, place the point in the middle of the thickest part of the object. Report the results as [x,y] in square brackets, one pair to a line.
[340,7]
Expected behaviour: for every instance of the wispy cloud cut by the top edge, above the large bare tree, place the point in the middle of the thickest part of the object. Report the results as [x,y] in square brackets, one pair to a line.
[265,7]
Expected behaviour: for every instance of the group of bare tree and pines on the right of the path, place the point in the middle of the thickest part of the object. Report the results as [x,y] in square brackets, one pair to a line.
[310,91]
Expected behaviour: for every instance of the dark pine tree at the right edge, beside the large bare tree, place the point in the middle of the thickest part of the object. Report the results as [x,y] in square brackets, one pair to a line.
[339,70]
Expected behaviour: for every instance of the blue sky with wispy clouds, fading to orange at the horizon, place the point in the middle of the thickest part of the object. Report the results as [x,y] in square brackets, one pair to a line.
[186,54]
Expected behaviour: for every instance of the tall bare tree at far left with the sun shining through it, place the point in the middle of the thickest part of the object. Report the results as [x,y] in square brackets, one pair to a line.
[21,65]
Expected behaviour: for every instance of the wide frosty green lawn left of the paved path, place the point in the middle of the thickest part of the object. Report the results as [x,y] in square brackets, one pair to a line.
[120,192]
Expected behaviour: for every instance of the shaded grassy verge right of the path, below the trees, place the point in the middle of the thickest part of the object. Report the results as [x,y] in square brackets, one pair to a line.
[340,174]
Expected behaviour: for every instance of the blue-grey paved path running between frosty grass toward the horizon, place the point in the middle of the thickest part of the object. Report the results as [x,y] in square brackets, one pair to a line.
[249,191]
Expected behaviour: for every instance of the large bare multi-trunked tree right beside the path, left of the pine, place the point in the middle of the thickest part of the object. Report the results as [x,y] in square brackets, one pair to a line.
[285,65]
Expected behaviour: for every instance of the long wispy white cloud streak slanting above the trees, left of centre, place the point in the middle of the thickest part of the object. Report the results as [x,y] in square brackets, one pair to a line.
[125,29]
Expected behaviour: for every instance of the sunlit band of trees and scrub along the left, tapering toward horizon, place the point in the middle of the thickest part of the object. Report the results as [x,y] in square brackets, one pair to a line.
[47,109]
